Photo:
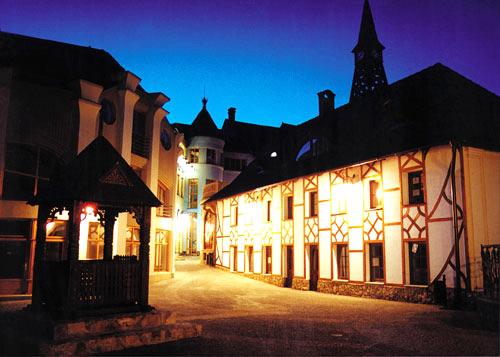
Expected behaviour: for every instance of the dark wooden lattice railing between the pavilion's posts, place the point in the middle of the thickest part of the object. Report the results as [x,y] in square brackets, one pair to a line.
[106,283]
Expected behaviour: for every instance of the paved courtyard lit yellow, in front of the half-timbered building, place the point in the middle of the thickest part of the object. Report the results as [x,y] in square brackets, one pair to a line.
[241,316]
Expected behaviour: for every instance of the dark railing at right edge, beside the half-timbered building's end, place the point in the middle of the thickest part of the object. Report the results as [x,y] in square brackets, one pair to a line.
[490,255]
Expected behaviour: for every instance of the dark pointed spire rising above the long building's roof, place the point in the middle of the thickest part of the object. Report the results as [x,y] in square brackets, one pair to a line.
[369,73]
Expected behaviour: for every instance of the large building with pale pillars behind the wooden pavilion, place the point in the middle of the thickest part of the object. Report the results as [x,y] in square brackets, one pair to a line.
[50,113]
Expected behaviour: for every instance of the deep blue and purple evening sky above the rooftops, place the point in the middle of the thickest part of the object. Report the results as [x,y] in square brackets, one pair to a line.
[267,58]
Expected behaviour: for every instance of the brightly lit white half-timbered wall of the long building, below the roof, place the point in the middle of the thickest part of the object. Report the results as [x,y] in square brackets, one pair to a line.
[380,228]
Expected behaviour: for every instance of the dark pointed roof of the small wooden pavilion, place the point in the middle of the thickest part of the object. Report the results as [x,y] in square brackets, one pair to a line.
[98,174]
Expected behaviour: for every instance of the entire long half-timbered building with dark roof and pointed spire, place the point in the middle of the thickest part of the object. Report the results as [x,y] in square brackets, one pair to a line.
[391,195]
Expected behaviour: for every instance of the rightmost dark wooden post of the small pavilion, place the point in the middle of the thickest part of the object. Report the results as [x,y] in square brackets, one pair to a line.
[144,256]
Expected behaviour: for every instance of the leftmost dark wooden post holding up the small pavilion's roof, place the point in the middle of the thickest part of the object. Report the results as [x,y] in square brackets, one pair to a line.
[41,236]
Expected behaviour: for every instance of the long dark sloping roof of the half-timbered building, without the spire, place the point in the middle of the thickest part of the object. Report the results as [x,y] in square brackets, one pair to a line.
[429,108]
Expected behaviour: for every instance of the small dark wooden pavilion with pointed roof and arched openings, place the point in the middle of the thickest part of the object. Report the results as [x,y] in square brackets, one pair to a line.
[101,179]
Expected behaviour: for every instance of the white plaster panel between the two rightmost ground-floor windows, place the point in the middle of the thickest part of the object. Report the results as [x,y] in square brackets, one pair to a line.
[393,255]
